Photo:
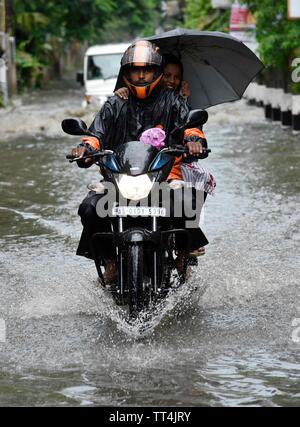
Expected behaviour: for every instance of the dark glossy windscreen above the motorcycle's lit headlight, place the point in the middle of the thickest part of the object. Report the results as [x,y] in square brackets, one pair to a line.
[135,157]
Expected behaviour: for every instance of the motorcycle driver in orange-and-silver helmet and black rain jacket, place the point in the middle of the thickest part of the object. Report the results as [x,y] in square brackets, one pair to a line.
[120,121]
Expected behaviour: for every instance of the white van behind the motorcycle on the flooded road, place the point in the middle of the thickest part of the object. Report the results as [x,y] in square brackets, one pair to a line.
[100,70]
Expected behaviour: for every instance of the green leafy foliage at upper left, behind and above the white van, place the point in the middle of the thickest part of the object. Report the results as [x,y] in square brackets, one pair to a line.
[45,29]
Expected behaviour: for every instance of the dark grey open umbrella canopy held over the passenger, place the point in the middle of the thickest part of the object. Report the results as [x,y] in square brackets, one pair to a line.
[217,67]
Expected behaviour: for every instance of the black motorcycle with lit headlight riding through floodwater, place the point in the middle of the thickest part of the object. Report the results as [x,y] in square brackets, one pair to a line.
[145,241]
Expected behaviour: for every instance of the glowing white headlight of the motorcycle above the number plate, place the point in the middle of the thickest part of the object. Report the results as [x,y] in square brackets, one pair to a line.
[135,187]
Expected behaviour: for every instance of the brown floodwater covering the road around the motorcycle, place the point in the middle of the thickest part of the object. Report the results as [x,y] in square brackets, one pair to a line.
[233,342]
